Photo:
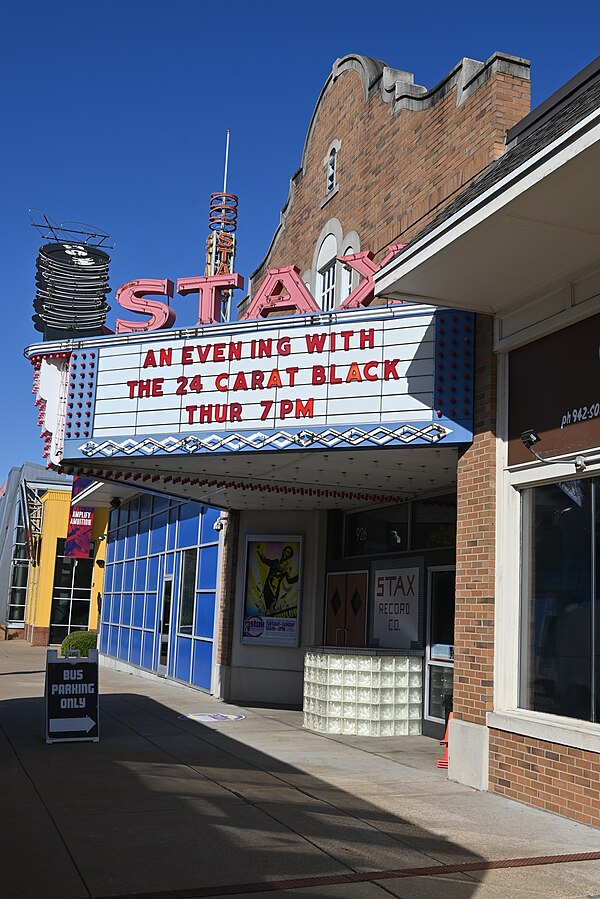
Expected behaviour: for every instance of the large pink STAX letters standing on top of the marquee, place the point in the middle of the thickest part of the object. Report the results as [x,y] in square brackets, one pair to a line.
[282,290]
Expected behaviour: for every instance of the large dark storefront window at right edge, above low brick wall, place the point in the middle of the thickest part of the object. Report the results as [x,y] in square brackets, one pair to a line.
[560,650]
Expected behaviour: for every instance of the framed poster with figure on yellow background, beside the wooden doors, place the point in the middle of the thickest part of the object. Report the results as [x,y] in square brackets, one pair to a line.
[272,590]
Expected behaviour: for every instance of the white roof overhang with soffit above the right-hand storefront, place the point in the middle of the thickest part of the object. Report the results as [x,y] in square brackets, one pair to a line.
[537,226]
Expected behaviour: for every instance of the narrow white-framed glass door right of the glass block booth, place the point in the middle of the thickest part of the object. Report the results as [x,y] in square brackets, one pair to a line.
[439,658]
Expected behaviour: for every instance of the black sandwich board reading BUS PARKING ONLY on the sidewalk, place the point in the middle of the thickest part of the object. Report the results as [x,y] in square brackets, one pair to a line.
[71,696]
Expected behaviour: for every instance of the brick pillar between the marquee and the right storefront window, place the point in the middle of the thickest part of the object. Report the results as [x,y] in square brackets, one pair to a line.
[475,544]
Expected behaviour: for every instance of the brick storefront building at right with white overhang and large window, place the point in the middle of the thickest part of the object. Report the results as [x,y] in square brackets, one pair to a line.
[520,248]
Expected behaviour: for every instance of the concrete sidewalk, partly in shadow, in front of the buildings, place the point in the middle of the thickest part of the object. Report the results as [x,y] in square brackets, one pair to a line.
[169,807]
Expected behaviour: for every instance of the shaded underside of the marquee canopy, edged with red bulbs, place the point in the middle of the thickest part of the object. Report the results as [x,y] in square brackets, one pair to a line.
[303,480]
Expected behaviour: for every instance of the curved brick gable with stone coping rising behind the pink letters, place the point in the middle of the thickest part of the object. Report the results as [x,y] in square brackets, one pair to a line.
[402,153]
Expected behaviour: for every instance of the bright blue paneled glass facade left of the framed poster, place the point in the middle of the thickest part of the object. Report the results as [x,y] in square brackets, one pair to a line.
[147,538]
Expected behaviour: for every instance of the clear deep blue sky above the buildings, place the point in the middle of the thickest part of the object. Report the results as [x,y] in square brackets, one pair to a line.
[115,113]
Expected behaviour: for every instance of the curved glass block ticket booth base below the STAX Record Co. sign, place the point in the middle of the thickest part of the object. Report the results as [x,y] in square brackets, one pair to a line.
[367,695]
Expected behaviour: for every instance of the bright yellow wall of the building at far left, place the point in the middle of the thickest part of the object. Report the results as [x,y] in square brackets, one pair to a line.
[55,521]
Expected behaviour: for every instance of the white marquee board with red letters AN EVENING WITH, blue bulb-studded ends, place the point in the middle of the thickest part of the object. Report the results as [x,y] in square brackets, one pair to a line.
[389,377]
